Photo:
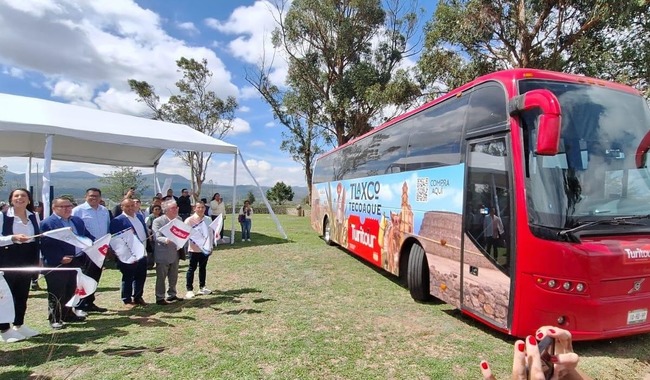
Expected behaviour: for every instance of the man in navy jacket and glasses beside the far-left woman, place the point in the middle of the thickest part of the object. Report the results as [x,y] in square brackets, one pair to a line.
[61,285]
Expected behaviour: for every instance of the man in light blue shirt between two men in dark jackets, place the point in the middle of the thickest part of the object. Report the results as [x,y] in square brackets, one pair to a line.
[96,219]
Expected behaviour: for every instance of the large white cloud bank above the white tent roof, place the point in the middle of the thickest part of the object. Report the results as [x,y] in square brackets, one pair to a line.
[98,45]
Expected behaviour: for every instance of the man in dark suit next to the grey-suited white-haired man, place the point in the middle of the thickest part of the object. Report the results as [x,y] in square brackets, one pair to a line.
[135,274]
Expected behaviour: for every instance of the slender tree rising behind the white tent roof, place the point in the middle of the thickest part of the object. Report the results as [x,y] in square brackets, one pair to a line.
[194,105]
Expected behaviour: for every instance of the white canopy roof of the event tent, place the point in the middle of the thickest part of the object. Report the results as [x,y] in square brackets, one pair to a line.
[88,135]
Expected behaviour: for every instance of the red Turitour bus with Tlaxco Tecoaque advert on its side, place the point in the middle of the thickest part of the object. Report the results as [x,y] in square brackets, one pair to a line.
[521,198]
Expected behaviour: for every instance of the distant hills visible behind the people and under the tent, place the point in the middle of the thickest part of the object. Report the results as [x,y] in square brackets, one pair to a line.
[75,183]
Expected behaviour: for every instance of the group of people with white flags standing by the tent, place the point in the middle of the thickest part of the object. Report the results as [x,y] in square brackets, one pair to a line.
[21,245]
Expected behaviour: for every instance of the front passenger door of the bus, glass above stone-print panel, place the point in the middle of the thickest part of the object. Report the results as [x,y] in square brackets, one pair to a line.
[487,242]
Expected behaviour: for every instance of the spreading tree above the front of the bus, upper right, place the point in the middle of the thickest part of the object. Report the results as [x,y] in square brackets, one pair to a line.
[467,38]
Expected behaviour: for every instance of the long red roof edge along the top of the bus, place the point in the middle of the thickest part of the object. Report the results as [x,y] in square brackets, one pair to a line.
[503,76]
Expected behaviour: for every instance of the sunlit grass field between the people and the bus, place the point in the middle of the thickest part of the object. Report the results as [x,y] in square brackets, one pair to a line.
[294,309]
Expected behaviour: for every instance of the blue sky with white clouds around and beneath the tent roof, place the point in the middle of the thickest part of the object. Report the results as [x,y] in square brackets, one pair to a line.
[83,52]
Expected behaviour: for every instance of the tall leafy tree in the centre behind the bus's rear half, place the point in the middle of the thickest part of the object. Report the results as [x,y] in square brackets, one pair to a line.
[344,58]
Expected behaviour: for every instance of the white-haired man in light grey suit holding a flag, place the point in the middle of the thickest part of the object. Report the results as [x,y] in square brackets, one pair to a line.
[166,255]
